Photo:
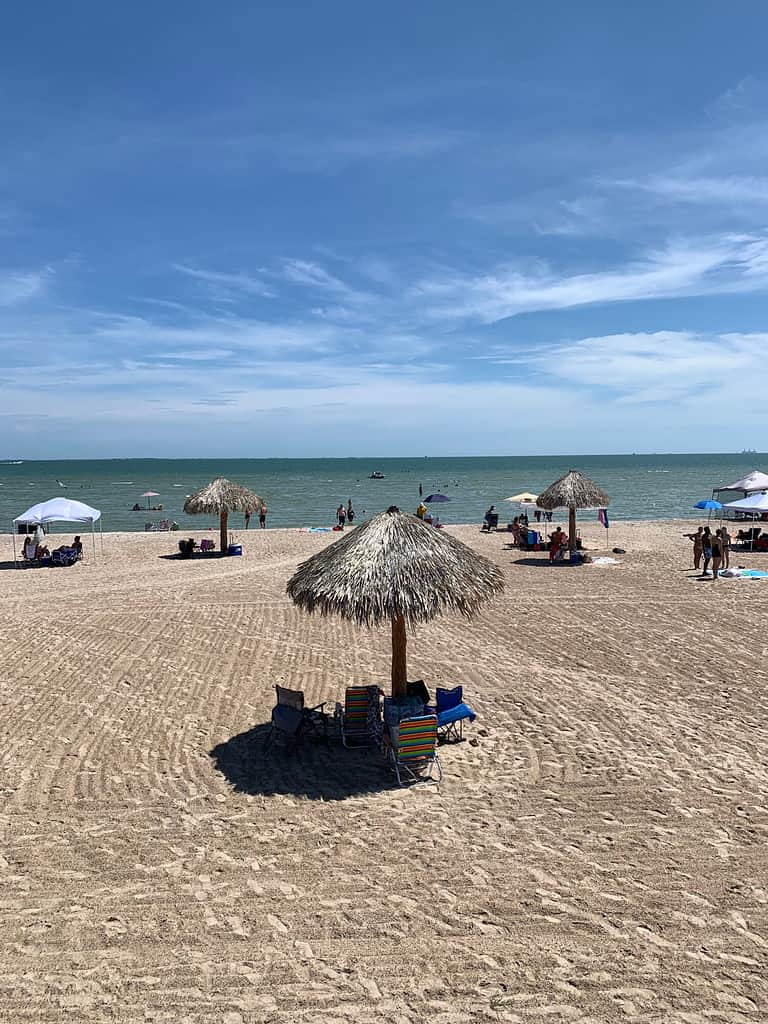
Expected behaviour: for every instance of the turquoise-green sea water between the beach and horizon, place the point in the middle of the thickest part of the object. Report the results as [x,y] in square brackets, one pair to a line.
[307,493]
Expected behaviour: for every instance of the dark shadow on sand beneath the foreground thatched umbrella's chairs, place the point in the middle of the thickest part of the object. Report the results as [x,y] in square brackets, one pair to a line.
[316,770]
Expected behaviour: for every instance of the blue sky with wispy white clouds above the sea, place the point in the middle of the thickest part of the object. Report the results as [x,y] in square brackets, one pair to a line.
[396,230]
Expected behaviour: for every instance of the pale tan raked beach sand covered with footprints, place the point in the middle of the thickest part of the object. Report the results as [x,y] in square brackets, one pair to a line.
[598,852]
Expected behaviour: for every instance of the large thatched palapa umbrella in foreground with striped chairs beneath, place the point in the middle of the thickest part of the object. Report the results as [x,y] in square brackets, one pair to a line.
[396,568]
